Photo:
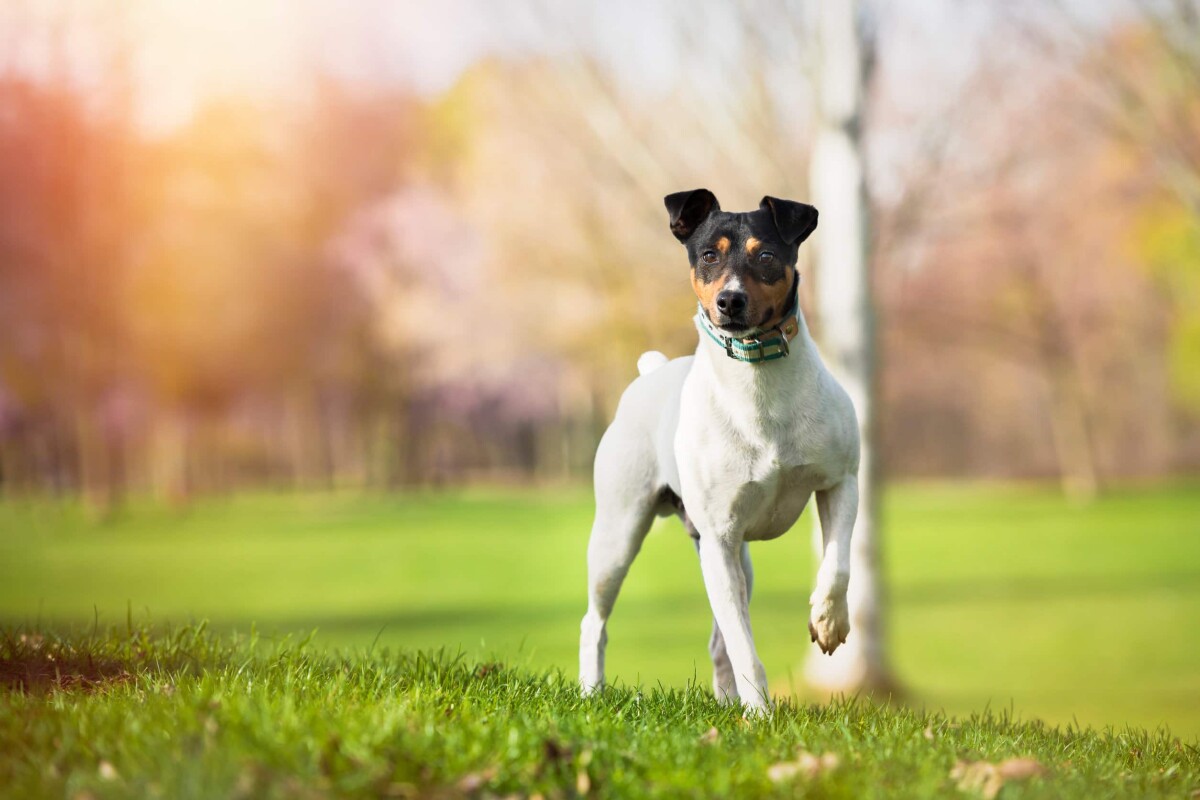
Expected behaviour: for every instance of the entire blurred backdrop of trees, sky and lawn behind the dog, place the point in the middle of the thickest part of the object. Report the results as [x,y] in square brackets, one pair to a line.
[313,314]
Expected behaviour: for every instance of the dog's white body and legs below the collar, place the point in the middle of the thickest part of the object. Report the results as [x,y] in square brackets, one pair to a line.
[737,450]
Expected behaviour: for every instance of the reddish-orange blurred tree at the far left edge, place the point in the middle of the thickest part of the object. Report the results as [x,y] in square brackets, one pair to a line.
[64,206]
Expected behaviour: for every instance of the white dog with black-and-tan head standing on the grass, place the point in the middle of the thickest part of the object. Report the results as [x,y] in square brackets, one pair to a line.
[734,440]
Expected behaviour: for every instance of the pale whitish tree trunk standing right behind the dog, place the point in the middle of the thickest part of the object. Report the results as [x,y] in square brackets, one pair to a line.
[848,330]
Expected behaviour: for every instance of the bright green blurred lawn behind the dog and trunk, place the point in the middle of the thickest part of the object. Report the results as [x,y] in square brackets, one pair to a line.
[1001,598]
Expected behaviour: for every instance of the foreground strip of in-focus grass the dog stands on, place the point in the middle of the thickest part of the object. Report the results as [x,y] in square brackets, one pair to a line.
[182,714]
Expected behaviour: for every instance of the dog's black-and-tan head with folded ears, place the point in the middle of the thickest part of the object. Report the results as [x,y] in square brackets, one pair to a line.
[743,266]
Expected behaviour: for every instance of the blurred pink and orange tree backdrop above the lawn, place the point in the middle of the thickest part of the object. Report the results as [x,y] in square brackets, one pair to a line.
[353,276]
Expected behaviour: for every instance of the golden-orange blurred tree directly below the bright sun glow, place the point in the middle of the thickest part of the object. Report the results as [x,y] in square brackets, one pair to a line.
[215,300]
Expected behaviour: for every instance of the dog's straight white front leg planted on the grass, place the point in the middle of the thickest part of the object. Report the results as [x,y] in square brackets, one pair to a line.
[721,561]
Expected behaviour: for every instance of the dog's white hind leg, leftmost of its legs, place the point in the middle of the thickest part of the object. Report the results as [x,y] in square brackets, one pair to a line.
[617,537]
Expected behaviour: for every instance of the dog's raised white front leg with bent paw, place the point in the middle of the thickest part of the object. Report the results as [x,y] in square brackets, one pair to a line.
[830,621]
